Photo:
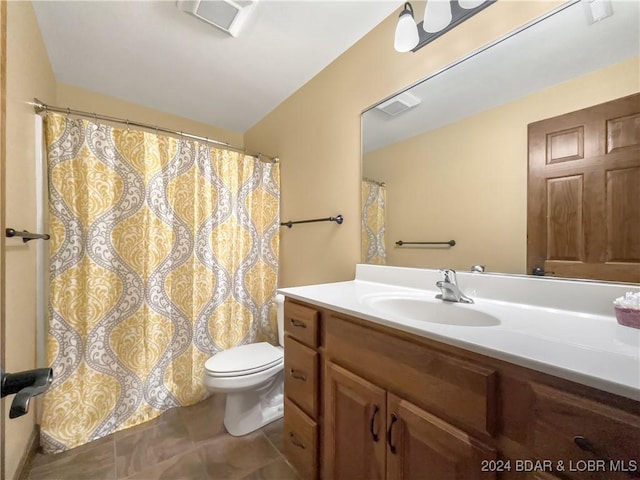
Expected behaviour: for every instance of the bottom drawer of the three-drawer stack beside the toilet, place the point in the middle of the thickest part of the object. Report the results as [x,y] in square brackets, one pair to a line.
[300,440]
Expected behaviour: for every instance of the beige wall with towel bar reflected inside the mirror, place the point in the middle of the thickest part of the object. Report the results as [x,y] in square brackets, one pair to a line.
[468,181]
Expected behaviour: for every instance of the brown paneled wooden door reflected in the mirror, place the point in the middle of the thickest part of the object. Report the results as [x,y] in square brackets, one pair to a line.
[584,193]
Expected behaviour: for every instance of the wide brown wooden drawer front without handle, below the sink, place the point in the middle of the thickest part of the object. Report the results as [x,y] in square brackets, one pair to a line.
[461,392]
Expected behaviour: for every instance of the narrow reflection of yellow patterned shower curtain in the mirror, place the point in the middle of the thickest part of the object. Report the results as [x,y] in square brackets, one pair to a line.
[373,222]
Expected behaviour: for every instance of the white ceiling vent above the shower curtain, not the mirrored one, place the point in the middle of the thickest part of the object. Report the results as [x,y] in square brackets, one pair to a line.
[227,15]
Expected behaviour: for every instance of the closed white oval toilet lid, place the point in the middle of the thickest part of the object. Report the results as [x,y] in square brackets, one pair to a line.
[243,360]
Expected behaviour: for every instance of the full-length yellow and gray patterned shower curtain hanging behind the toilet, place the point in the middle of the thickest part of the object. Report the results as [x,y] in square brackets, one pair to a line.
[163,252]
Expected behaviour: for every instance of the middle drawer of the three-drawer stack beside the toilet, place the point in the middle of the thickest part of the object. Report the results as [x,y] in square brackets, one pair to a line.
[301,376]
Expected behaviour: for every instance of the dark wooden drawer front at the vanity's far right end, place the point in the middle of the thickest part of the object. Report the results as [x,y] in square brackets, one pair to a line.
[577,430]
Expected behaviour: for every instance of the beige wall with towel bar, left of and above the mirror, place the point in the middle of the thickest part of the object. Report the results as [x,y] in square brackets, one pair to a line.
[316,133]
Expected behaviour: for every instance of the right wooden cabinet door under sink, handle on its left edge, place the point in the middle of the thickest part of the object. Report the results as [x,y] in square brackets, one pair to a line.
[422,446]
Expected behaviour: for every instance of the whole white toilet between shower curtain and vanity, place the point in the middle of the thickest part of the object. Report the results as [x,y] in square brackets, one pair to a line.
[252,376]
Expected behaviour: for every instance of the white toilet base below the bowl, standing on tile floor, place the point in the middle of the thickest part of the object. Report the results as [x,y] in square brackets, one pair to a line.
[248,411]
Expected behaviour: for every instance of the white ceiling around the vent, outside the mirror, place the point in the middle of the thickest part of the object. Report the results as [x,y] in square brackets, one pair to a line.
[153,54]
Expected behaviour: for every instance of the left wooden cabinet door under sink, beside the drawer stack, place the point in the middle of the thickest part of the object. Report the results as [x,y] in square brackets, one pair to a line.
[354,438]
